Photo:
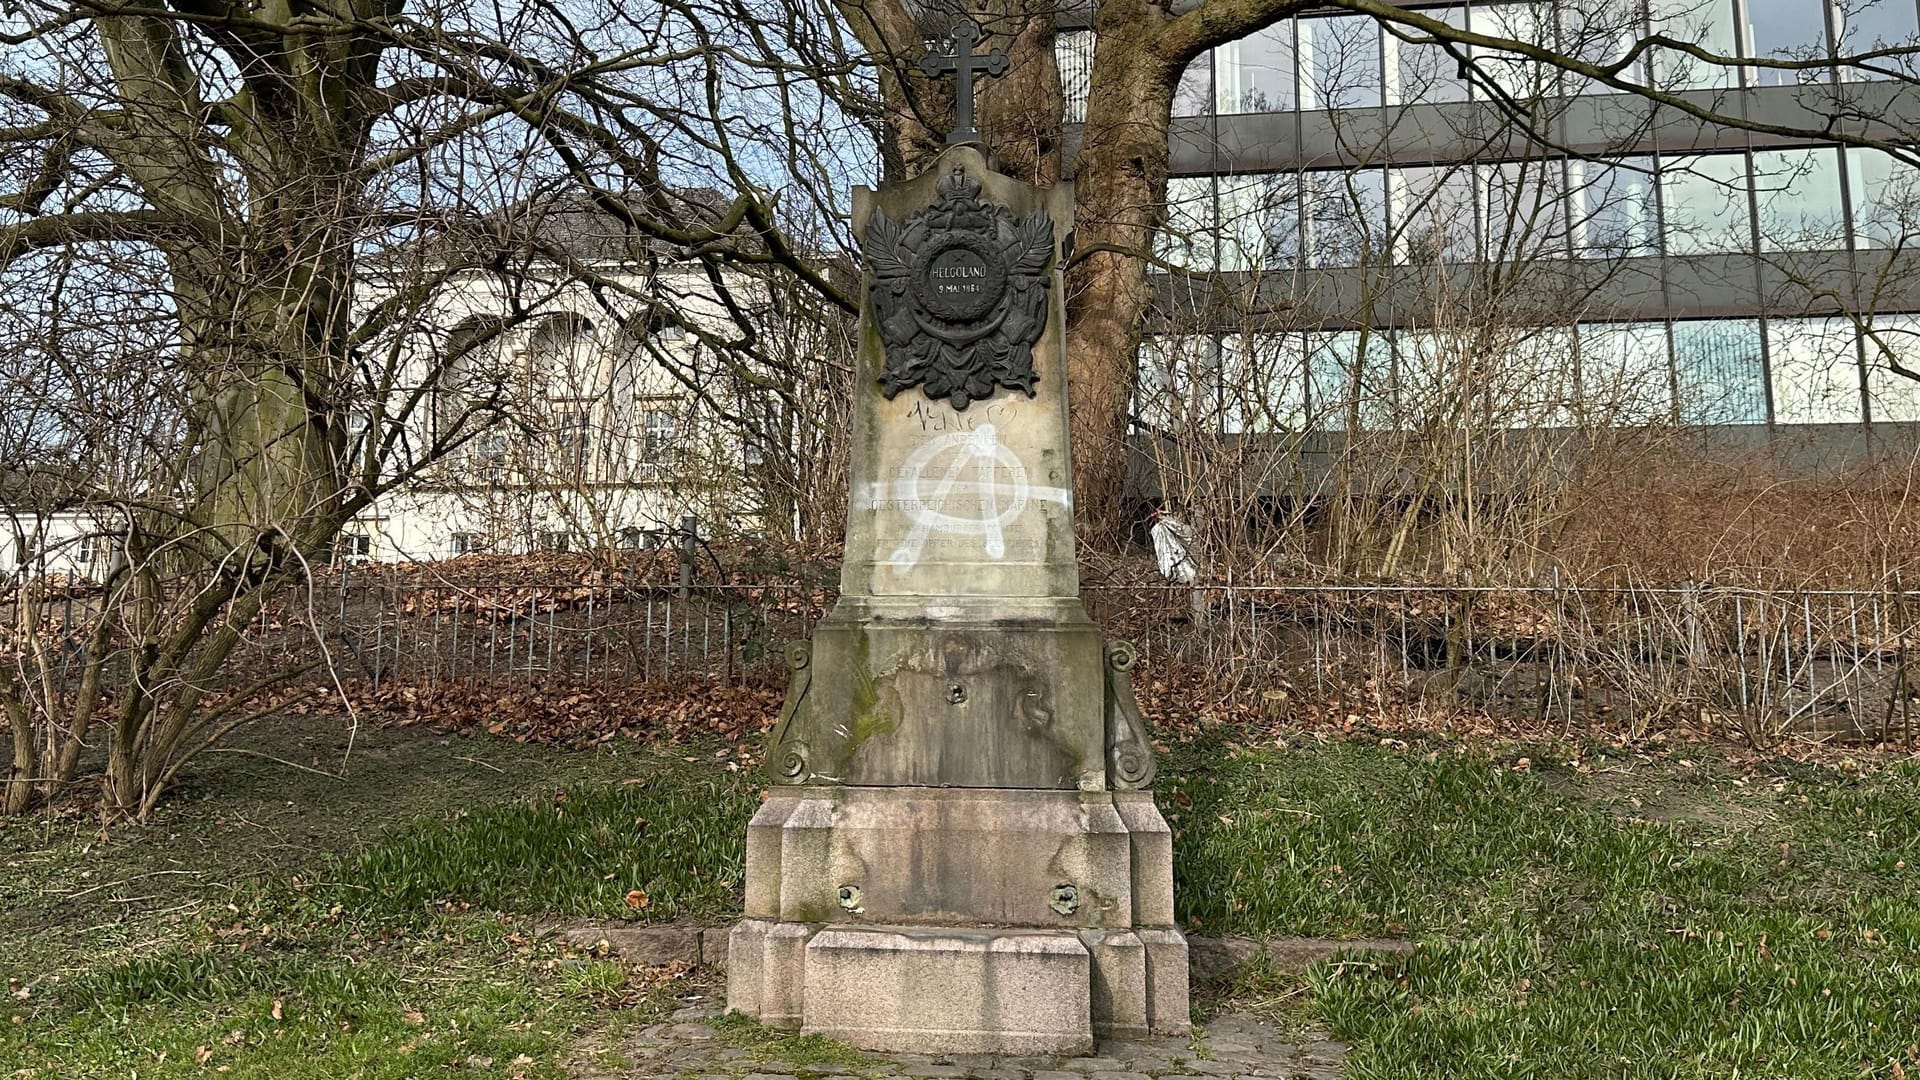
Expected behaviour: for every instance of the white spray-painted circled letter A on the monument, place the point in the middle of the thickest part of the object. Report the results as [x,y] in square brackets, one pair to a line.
[980,493]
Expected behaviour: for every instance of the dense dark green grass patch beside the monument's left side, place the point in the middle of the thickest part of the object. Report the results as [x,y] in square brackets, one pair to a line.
[679,839]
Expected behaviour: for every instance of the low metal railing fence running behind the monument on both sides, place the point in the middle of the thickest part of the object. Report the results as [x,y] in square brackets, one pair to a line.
[1756,664]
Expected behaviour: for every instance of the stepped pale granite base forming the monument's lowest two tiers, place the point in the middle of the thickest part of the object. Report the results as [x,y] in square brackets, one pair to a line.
[961,920]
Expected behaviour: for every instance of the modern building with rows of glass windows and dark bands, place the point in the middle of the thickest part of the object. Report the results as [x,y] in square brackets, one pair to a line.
[1376,205]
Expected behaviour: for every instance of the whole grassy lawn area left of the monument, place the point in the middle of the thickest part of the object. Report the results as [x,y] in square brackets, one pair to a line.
[203,945]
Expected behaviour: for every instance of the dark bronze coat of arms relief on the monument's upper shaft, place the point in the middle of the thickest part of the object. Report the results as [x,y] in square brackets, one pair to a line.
[961,295]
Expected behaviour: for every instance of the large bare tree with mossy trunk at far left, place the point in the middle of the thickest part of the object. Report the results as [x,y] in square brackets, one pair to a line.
[195,201]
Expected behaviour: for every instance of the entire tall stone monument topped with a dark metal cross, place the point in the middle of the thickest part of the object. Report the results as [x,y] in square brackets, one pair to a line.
[959,852]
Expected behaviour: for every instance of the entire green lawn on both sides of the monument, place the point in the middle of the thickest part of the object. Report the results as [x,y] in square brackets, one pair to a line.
[1583,918]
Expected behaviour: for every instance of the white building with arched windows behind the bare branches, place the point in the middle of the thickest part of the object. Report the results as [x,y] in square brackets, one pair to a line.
[590,405]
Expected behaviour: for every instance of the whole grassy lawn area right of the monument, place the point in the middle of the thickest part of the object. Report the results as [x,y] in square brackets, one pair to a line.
[1771,931]
